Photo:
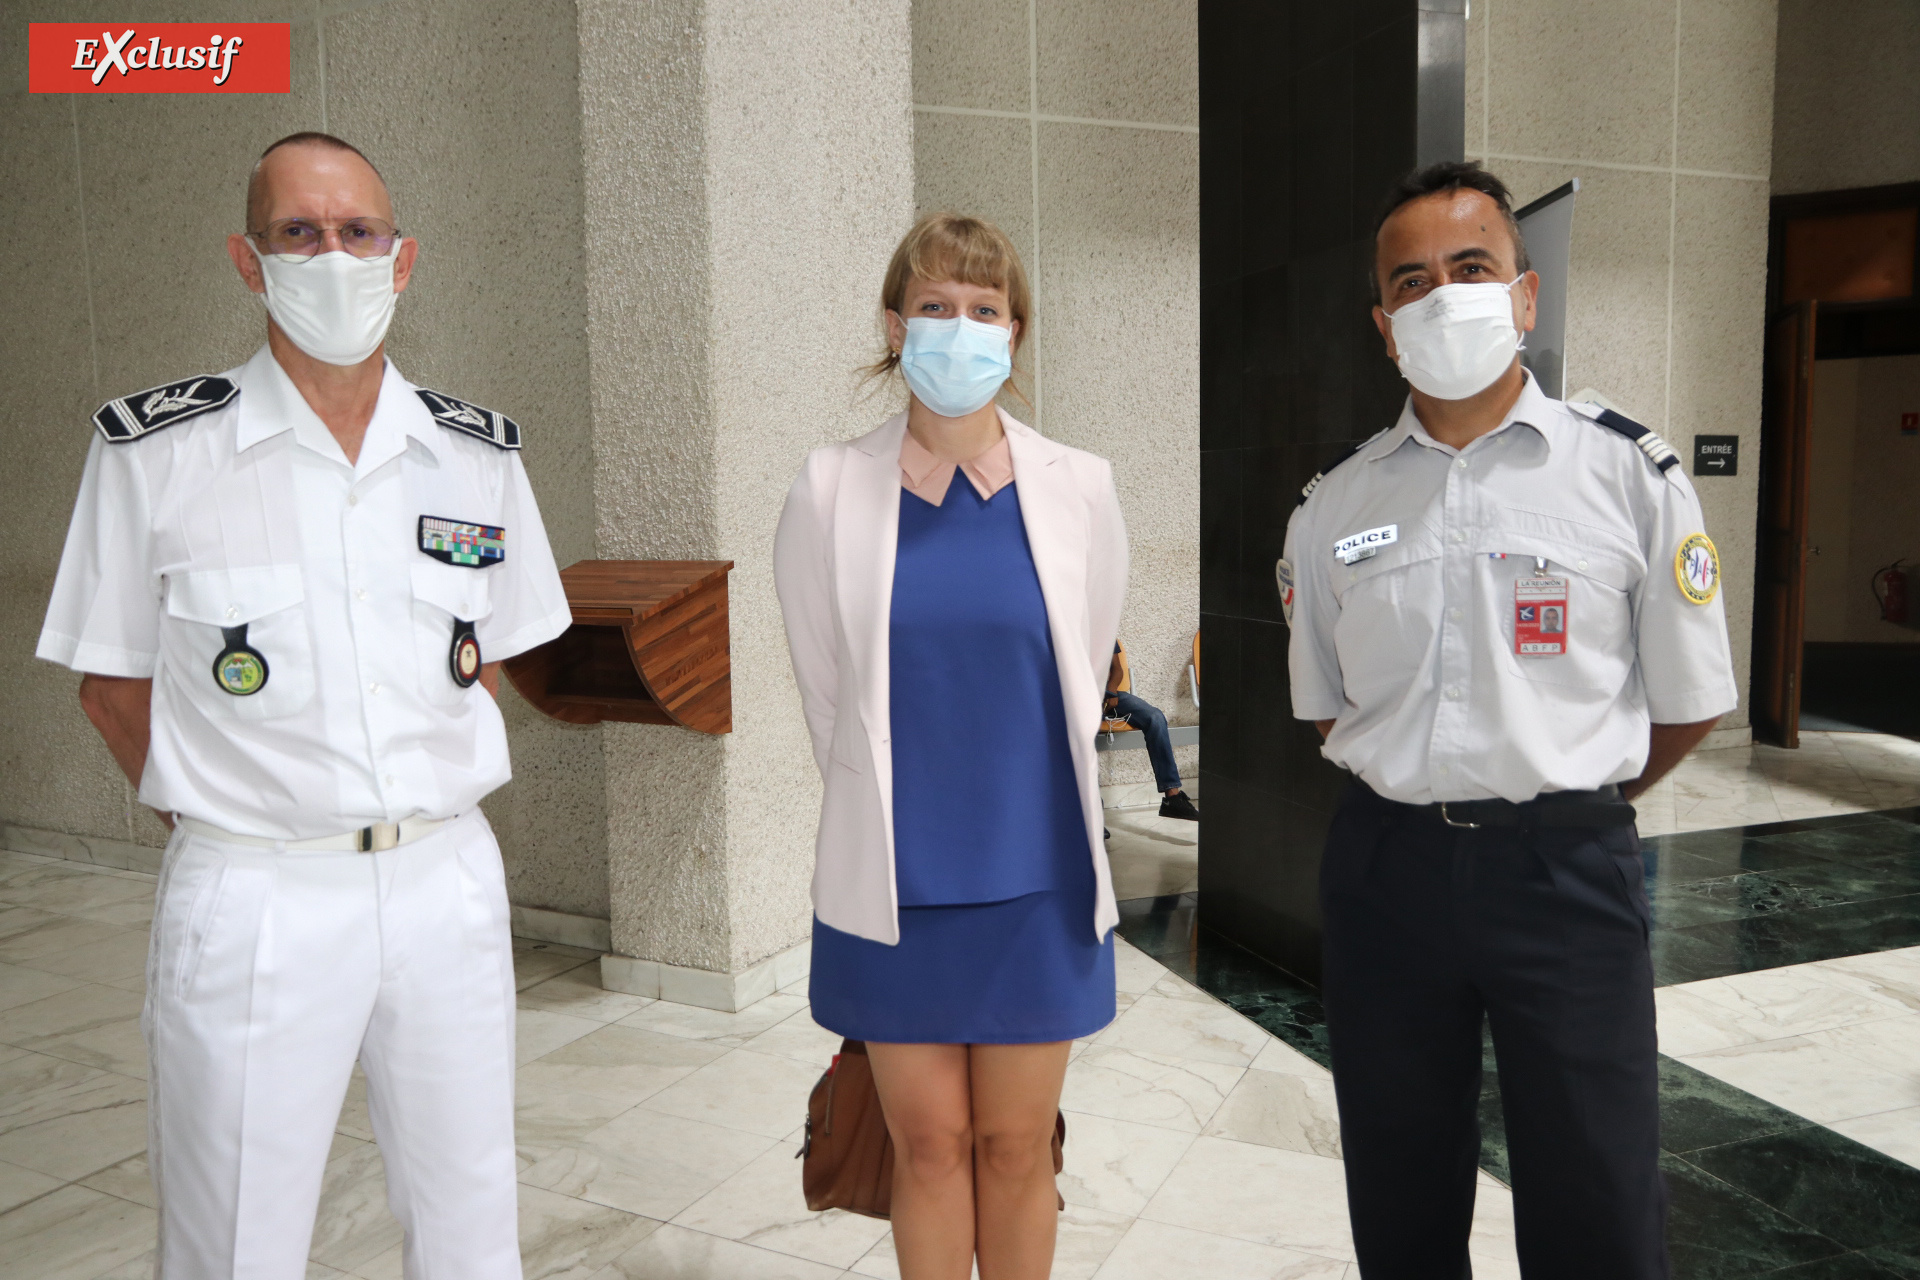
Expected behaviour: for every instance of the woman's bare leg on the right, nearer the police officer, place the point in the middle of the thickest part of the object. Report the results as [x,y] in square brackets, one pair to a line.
[1017,1095]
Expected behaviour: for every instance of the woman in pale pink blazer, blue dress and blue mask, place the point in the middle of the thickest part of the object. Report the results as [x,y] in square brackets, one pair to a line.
[951,586]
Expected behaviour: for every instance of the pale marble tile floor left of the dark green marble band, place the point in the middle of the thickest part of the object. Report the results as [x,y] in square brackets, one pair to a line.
[658,1141]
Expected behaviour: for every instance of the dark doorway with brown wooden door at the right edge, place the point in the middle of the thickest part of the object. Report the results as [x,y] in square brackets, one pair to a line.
[1836,636]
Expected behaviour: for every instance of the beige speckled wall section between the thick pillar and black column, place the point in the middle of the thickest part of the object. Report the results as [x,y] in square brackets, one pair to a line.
[1074,126]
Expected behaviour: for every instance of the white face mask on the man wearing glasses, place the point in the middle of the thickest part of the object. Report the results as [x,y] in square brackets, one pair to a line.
[331,306]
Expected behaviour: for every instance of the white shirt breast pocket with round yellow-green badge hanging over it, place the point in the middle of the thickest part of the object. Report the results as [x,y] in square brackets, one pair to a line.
[220,617]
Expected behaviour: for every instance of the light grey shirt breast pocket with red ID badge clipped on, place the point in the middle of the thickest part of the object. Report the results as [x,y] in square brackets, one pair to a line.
[1600,613]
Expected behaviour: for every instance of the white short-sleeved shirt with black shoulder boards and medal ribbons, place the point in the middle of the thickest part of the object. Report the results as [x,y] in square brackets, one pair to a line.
[249,515]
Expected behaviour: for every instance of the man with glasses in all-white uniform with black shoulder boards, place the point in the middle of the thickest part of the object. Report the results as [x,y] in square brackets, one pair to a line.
[283,586]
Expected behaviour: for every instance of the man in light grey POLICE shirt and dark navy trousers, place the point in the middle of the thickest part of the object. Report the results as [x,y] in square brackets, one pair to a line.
[1506,623]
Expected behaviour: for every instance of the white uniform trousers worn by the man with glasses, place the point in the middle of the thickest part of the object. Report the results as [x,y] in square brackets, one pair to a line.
[272,972]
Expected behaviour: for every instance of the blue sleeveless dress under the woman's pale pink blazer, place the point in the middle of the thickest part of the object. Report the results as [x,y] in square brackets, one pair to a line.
[992,859]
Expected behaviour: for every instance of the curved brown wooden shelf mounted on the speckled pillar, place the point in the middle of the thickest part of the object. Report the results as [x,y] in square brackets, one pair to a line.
[648,646]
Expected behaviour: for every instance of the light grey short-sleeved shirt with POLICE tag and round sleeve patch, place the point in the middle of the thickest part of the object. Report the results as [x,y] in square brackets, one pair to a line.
[1412,650]
